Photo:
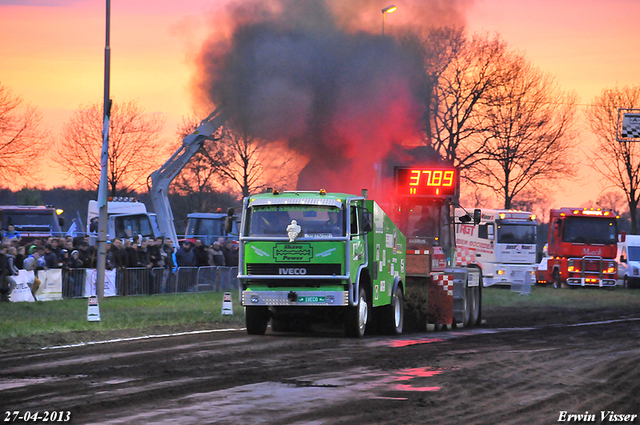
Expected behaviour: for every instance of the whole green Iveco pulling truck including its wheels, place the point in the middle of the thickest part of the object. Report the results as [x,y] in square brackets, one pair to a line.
[309,256]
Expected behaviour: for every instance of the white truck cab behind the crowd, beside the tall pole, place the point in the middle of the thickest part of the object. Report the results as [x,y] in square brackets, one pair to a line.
[126,218]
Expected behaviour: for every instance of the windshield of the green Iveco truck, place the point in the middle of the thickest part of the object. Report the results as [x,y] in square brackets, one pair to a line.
[314,220]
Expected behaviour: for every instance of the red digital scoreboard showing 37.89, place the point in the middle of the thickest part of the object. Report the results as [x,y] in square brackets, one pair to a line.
[440,182]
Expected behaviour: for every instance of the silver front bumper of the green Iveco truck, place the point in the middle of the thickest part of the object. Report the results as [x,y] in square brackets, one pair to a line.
[295,298]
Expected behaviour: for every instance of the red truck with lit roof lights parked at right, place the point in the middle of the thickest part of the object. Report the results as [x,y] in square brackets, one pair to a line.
[582,248]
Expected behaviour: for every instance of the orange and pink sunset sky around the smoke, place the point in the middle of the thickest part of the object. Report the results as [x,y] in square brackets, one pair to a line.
[52,54]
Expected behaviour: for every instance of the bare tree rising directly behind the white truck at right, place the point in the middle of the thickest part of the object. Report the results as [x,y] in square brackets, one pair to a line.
[529,129]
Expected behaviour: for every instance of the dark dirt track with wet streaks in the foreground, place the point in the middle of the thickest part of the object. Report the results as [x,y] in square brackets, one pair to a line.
[524,367]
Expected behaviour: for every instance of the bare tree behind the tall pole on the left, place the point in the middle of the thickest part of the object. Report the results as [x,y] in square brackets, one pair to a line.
[134,139]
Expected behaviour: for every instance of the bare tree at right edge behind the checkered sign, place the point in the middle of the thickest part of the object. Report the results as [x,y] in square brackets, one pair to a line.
[618,162]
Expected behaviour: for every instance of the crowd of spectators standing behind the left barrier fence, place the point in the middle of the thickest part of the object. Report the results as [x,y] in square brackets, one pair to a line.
[68,253]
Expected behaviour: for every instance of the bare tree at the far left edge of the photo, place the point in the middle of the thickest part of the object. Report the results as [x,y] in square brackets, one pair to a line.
[21,140]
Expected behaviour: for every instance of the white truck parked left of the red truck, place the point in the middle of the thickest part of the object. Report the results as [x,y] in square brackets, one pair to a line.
[503,245]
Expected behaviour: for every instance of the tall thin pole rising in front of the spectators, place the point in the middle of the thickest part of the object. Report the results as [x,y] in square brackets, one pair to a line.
[104,162]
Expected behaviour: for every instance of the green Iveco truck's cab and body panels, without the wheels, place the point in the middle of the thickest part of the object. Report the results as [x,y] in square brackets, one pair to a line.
[317,268]
